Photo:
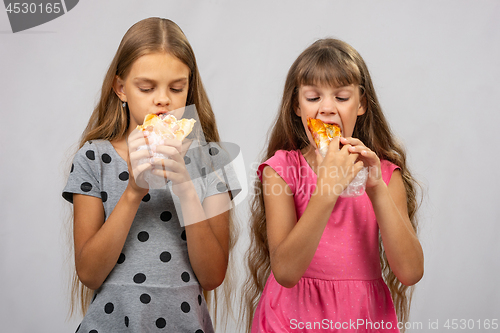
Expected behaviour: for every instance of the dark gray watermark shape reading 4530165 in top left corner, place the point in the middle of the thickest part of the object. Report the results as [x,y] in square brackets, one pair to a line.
[31,13]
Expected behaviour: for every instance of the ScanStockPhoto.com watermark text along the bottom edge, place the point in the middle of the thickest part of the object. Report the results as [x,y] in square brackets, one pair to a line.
[359,324]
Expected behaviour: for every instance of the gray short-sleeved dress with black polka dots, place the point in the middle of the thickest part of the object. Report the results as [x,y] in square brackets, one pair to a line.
[152,287]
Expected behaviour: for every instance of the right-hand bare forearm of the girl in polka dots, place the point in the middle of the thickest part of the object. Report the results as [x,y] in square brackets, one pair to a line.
[207,255]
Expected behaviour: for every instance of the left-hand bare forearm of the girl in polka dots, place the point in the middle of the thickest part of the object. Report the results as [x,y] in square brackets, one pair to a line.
[100,253]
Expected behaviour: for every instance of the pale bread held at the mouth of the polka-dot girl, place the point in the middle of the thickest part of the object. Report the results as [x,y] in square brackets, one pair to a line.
[166,126]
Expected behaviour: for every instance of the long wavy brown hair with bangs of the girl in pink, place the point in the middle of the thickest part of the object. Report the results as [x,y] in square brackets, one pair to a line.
[334,63]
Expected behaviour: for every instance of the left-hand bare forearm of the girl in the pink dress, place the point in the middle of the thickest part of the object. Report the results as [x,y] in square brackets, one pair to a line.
[293,255]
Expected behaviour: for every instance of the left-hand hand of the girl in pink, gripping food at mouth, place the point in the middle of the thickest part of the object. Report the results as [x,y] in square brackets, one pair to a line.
[337,169]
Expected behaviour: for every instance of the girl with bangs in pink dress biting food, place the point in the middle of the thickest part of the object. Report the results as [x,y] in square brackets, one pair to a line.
[316,260]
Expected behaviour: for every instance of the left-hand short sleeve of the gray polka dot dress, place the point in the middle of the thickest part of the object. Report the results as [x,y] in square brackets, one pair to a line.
[84,174]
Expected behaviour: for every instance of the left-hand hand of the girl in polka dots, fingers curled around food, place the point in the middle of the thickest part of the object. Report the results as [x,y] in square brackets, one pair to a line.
[136,171]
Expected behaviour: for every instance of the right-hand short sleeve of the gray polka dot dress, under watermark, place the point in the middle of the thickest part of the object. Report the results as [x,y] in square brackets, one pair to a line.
[223,178]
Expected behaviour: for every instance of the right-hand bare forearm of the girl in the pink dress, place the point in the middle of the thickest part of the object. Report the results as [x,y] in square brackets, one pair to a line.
[403,250]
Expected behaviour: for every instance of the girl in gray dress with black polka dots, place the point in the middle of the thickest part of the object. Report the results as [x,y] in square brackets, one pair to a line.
[148,263]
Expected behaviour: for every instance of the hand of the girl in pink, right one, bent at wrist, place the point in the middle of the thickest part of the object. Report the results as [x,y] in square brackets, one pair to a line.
[369,158]
